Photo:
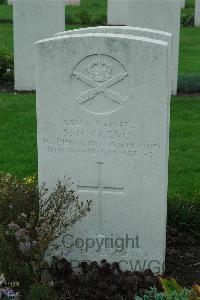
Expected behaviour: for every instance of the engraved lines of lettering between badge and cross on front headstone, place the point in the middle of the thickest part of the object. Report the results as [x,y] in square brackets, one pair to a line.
[96,137]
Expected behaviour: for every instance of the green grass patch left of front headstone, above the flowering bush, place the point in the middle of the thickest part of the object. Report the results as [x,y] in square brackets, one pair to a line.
[18,134]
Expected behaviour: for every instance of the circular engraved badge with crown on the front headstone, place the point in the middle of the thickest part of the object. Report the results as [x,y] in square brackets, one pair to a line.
[99,84]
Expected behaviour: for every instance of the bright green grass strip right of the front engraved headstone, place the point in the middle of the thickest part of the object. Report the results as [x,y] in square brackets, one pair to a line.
[184,167]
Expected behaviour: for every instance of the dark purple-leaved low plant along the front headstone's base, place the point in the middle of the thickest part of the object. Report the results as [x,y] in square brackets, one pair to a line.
[99,281]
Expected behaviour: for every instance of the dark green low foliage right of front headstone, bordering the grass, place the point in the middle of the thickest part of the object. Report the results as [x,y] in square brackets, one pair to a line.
[184,215]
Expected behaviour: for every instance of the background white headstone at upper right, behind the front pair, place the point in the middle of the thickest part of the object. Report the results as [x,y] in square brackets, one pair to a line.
[154,14]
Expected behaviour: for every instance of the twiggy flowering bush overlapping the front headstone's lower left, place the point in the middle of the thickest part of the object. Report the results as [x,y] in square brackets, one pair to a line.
[24,235]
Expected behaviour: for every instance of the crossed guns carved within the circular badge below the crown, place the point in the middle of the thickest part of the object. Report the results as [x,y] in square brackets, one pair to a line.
[98,88]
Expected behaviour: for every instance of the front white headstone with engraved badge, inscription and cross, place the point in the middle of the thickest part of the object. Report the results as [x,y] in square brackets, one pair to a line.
[102,116]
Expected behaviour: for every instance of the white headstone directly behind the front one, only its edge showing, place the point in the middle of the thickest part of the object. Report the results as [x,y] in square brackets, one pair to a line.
[127,30]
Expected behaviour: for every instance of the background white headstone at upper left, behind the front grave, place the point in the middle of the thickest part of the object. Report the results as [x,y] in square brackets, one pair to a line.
[33,20]
